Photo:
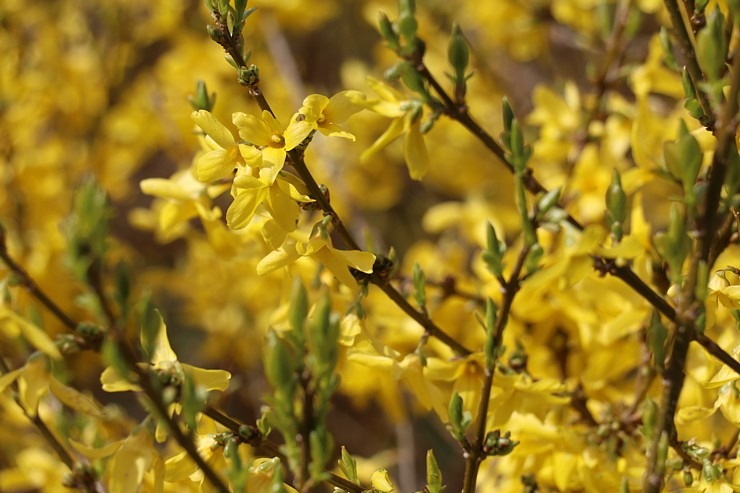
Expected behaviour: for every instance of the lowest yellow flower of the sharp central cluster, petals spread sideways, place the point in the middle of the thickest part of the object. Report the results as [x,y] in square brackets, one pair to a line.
[337,261]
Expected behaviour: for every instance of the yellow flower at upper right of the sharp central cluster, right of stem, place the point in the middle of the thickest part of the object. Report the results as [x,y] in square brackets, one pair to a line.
[325,114]
